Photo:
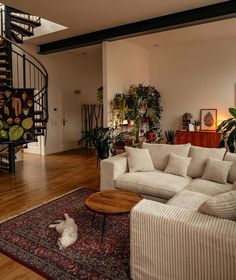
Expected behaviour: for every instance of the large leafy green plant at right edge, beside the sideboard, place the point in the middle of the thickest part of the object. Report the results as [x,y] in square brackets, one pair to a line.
[228,130]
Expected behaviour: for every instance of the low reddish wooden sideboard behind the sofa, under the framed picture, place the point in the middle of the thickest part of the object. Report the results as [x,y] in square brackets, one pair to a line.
[207,139]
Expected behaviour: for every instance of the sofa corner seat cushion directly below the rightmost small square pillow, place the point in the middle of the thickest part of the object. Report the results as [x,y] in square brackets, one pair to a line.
[208,187]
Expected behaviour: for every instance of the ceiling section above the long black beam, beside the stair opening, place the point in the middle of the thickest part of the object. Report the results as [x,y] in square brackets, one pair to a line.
[91,15]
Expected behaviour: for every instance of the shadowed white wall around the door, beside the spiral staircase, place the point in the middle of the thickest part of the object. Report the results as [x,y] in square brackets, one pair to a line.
[68,72]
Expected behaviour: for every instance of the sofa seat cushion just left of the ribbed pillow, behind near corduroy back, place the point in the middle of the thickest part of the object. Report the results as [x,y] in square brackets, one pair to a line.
[188,199]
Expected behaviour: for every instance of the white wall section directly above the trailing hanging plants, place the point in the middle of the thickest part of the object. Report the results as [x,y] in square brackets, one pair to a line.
[124,64]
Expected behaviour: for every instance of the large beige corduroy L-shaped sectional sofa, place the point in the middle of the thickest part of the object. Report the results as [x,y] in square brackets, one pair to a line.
[170,238]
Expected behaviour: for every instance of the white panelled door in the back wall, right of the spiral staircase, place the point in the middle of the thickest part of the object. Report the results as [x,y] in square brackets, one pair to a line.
[71,120]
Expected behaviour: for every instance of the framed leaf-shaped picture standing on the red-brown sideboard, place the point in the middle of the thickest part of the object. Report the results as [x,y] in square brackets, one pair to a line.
[208,119]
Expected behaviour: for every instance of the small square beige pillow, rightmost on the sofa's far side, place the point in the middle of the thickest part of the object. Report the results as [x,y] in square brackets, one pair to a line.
[217,170]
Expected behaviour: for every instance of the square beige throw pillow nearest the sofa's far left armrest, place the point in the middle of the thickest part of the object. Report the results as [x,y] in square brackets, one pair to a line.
[139,159]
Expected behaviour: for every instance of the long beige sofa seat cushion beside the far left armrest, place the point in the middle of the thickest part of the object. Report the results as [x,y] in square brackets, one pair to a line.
[155,183]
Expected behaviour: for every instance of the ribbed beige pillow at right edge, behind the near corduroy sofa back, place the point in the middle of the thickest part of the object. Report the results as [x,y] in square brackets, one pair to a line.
[222,205]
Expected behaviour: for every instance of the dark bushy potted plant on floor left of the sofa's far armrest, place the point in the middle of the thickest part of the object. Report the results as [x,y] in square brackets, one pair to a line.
[101,138]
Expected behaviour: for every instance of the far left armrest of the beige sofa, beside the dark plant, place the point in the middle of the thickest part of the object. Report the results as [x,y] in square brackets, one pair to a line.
[112,168]
